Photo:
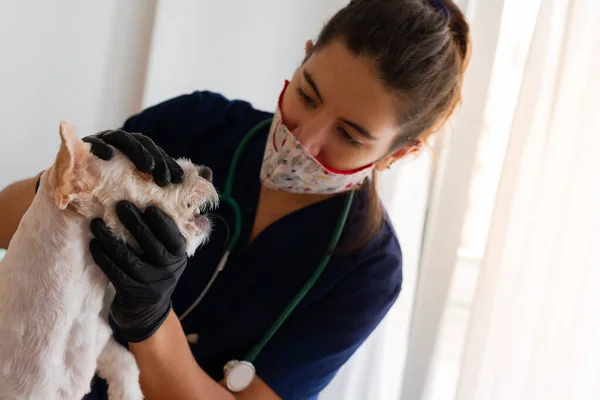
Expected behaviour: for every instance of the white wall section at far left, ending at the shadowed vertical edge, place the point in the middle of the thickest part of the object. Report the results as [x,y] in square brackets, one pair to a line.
[79,61]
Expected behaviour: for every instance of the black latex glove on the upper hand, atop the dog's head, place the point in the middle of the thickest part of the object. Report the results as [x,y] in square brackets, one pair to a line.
[141,150]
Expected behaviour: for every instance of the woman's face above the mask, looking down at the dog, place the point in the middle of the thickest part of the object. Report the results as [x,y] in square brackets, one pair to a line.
[340,111]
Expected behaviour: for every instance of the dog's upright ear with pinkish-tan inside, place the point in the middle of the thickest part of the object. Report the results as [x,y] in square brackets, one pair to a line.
[71,175]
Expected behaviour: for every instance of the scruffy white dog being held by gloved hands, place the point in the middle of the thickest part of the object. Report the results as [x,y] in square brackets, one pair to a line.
[54,300]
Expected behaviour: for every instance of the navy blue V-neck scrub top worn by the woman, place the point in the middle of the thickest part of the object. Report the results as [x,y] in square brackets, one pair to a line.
[348,301]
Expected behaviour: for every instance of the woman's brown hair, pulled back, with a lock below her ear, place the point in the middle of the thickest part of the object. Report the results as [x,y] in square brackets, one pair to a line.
[421,49]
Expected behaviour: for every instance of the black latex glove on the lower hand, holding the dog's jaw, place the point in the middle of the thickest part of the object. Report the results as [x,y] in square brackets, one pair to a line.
[144,283]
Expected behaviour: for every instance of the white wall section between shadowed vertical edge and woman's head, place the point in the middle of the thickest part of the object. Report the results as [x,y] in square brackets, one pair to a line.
[242,49]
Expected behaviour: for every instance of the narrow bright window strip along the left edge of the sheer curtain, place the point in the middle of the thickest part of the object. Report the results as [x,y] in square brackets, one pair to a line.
[517,25]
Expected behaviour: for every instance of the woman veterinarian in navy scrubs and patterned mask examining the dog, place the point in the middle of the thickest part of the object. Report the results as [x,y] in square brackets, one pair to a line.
[382,76]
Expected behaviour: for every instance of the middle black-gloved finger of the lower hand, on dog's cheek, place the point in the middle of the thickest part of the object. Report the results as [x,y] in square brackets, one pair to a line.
[133,219]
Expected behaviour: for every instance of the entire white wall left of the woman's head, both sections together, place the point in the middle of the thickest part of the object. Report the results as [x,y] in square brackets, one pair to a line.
[87,63]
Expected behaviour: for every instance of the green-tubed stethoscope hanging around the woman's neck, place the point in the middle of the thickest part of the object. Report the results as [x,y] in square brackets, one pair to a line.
[240,374]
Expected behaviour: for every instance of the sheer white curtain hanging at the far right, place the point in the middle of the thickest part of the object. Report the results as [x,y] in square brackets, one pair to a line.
[535,324]
